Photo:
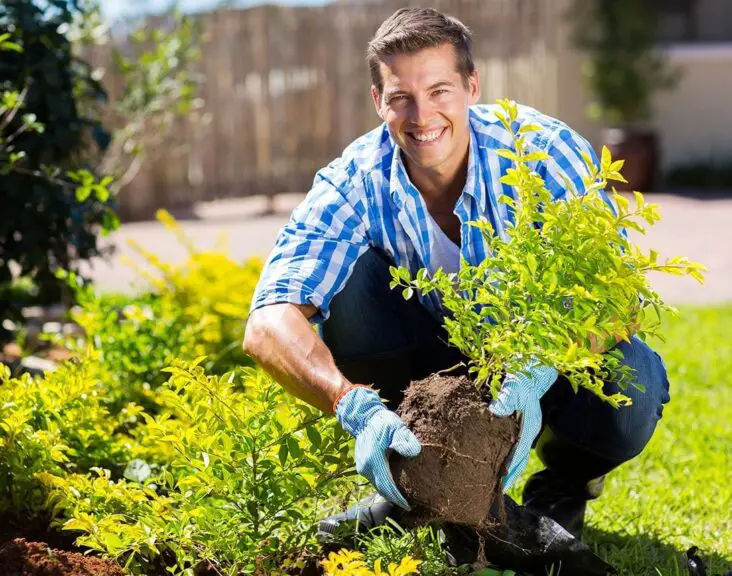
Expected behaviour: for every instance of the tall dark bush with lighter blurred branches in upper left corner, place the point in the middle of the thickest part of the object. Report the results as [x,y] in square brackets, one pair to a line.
[52,145]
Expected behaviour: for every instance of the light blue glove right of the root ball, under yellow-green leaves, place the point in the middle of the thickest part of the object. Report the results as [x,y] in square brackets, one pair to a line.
[521,393]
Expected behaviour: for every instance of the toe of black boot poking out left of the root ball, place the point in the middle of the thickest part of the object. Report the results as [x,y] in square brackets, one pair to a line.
[341,528]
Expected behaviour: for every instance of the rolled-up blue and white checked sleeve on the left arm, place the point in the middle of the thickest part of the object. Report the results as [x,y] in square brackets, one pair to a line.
[316,250]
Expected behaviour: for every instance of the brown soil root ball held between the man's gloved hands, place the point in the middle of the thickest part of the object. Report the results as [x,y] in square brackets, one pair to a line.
[457,476]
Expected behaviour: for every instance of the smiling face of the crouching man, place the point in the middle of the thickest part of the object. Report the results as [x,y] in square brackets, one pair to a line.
[424,103]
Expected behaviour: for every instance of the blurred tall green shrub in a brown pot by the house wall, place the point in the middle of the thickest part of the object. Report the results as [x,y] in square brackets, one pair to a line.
[623,70]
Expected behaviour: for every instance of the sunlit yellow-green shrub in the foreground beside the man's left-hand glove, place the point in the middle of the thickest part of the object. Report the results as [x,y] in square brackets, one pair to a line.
[239,474]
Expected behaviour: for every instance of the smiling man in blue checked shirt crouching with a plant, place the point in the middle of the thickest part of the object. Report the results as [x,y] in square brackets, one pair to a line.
[403,194]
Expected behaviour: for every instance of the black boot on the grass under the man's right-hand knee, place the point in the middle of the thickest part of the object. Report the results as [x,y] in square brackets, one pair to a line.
[573,475]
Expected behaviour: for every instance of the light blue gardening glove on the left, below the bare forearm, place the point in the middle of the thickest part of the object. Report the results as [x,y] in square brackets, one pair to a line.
[377,430]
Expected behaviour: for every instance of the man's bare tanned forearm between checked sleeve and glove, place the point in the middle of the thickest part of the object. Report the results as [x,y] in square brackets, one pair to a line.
[282,340]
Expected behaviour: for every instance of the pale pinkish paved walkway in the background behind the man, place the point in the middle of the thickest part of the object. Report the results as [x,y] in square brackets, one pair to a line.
[699,229]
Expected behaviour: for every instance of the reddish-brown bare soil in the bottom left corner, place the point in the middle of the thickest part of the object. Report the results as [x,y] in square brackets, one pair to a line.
[21,558]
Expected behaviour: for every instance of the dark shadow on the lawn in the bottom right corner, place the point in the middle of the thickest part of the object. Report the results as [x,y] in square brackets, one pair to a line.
[644,555]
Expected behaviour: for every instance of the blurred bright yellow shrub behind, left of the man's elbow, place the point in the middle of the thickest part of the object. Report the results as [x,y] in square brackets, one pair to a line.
[191,309]
